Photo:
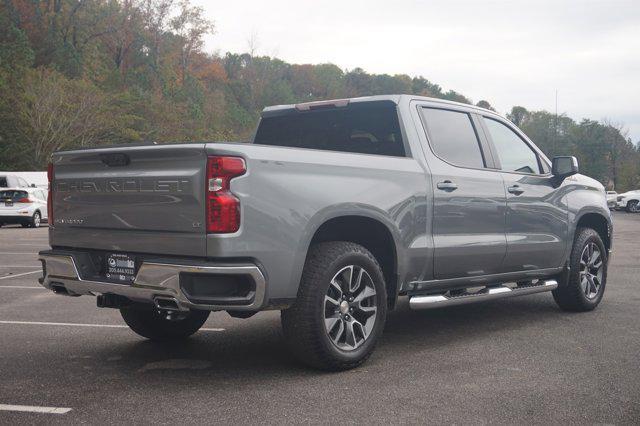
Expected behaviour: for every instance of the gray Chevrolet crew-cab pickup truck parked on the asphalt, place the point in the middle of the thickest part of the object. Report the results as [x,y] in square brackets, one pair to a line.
[334,210]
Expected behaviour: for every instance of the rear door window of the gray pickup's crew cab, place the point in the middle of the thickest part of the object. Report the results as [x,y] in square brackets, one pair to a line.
[453,137]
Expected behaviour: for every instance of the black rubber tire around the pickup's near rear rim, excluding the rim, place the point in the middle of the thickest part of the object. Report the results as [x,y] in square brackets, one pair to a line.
[304,322]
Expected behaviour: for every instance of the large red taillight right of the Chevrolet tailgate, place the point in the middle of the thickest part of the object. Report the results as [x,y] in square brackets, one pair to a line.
[223,208]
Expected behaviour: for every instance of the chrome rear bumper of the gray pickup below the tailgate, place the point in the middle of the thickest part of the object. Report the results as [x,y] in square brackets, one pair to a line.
[154,282]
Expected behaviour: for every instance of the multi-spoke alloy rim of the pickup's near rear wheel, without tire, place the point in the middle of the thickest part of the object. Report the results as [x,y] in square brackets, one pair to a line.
[350,308]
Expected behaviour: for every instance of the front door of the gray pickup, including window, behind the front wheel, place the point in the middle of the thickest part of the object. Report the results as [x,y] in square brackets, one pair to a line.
[537,213]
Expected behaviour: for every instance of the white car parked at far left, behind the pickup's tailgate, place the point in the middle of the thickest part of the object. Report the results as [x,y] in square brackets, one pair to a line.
[24,206]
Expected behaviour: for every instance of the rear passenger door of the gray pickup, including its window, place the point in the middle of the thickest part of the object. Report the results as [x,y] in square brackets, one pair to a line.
[468,197]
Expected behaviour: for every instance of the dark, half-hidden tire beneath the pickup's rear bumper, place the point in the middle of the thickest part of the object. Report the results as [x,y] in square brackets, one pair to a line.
[150,323]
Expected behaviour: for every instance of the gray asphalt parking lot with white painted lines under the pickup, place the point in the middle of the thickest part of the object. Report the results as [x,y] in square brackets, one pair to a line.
[520,360]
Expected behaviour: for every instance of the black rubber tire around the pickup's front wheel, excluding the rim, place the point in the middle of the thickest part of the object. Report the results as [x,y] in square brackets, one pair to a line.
[570,295]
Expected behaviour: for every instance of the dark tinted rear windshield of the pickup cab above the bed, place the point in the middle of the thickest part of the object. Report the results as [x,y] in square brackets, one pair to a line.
[368,128]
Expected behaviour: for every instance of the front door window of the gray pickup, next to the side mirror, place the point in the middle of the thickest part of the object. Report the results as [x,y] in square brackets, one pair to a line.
[514,153]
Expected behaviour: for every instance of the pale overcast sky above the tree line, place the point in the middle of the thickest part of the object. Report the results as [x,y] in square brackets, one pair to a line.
[507,52]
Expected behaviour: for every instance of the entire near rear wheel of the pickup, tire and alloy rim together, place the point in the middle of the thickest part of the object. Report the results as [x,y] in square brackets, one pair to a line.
[341,307]
